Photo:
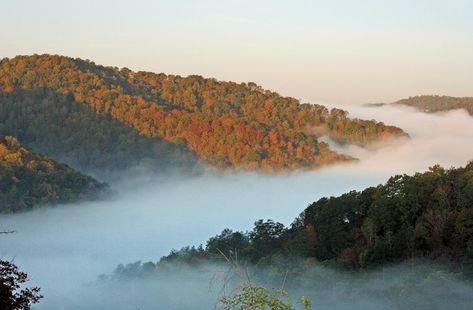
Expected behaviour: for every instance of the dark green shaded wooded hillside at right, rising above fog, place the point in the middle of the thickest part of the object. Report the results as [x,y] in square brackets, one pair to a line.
[428,215]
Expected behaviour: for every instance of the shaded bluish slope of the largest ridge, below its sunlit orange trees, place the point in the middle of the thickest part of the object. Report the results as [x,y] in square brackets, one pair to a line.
[73,133]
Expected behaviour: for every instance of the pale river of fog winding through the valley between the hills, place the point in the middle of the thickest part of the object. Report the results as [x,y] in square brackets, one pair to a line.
[65,248]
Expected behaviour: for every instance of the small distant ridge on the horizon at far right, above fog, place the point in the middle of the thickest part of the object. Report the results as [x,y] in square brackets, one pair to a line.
[439,103]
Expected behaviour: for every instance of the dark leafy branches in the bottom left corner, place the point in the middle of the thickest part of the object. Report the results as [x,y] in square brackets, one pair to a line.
[11,297]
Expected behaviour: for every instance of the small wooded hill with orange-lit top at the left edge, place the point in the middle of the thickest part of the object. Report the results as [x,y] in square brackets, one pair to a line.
[28,179]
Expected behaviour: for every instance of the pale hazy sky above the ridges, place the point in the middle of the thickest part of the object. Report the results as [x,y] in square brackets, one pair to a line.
[334,51]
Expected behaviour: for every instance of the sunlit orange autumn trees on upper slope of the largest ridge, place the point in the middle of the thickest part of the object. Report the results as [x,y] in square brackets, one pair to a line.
[225,124]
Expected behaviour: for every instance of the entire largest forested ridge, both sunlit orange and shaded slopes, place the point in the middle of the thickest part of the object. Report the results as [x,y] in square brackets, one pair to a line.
[225,124]
